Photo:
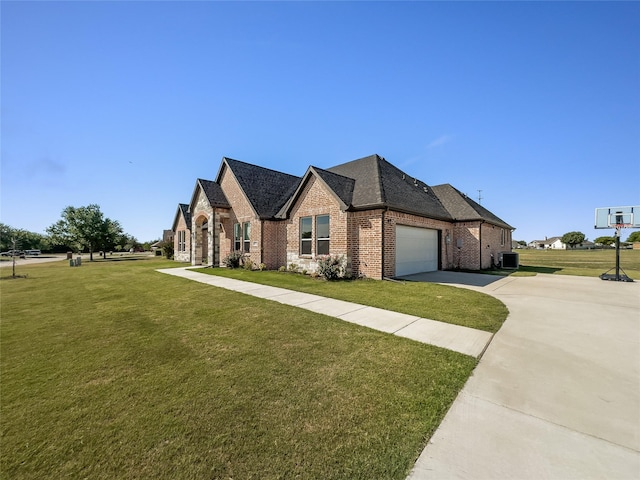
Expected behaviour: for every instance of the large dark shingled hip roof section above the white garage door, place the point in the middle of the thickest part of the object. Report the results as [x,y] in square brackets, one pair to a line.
[380,184]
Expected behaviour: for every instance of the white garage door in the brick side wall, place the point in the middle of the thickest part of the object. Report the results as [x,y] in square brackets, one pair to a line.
[416,250]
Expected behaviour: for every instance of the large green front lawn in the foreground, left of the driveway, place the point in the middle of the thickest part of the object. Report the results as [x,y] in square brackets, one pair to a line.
[113,370]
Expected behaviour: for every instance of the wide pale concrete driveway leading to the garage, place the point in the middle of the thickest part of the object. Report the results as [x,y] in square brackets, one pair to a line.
[556,394]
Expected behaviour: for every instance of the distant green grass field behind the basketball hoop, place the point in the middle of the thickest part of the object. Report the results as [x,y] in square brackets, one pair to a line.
[590,263]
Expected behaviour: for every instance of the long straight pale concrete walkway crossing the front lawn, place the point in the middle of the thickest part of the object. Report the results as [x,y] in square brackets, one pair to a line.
[453,337]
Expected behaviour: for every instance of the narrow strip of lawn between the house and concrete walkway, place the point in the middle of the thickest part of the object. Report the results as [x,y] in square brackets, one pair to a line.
[427,300]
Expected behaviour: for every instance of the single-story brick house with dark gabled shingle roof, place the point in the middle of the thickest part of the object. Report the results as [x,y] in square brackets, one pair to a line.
[384,222]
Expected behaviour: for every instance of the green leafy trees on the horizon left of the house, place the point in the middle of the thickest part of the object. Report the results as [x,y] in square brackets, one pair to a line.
[79,229]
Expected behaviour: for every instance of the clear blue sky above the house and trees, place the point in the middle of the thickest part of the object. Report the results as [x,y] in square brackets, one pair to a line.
[125,104]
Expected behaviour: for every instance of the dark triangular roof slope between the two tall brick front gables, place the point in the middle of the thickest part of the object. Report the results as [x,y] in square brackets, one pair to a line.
[266,189]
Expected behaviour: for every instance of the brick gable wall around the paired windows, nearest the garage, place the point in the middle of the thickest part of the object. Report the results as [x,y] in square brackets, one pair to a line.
[316,200]
